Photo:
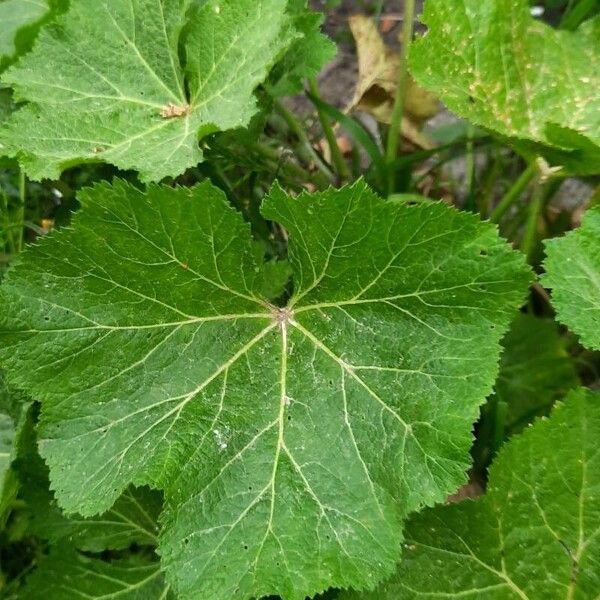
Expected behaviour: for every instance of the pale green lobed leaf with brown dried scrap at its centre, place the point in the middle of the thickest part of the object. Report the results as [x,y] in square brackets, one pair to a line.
[105,82]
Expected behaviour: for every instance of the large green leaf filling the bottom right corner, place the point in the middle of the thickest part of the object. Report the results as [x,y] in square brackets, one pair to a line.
[534,535]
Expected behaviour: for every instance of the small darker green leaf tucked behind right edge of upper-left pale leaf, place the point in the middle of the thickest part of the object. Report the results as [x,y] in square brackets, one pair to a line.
[305,57]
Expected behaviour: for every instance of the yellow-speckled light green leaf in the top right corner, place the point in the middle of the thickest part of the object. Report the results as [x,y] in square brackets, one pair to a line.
[492,63]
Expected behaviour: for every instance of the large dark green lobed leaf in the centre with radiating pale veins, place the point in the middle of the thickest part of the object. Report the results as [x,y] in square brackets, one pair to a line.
[290,442]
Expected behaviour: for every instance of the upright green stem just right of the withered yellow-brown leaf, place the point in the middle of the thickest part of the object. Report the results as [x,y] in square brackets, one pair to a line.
[398,110]
